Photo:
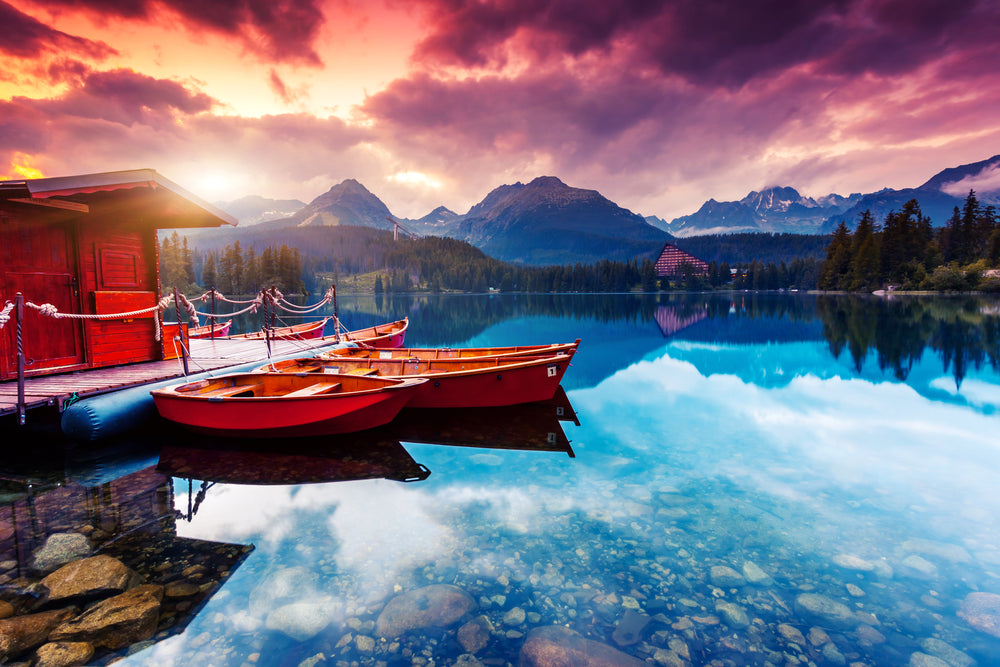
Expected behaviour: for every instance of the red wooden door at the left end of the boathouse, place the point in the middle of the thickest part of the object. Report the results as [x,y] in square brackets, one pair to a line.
[38,259]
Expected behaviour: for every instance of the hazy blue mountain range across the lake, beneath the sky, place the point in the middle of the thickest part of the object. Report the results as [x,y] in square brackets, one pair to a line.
[548,222]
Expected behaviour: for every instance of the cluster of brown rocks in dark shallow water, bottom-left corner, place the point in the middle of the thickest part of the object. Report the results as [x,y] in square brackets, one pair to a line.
[97,609]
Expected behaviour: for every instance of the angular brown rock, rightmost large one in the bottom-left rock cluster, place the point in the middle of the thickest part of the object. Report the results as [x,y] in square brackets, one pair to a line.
[116,622]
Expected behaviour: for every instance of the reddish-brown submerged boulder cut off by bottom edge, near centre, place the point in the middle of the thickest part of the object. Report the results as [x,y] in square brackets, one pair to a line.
[556,646]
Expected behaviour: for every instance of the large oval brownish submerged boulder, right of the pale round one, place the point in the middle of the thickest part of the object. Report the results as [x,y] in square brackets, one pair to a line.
[435,605]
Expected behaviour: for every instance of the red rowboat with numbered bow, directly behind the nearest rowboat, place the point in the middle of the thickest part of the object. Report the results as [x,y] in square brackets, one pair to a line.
[451,383]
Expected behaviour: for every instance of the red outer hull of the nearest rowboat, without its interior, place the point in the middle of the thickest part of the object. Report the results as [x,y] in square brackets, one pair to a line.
[284,416]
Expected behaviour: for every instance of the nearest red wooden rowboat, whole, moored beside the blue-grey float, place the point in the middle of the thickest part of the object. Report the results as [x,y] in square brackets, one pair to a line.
[265,405]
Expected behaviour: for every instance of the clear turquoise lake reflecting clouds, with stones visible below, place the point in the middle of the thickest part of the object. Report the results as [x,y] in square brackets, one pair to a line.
[727,479]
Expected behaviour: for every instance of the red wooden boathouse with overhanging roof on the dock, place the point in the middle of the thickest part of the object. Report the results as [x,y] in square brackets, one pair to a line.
[87,245]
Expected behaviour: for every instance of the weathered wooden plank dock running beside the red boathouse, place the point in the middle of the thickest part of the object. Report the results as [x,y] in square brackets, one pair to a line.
[206,355]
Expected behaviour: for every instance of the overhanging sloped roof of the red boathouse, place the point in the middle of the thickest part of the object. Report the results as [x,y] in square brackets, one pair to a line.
[158,201]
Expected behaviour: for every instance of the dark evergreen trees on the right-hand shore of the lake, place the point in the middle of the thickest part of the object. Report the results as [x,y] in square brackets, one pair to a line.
[907,253]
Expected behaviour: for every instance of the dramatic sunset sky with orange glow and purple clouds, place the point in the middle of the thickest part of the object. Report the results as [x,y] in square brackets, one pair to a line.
[658,104]
